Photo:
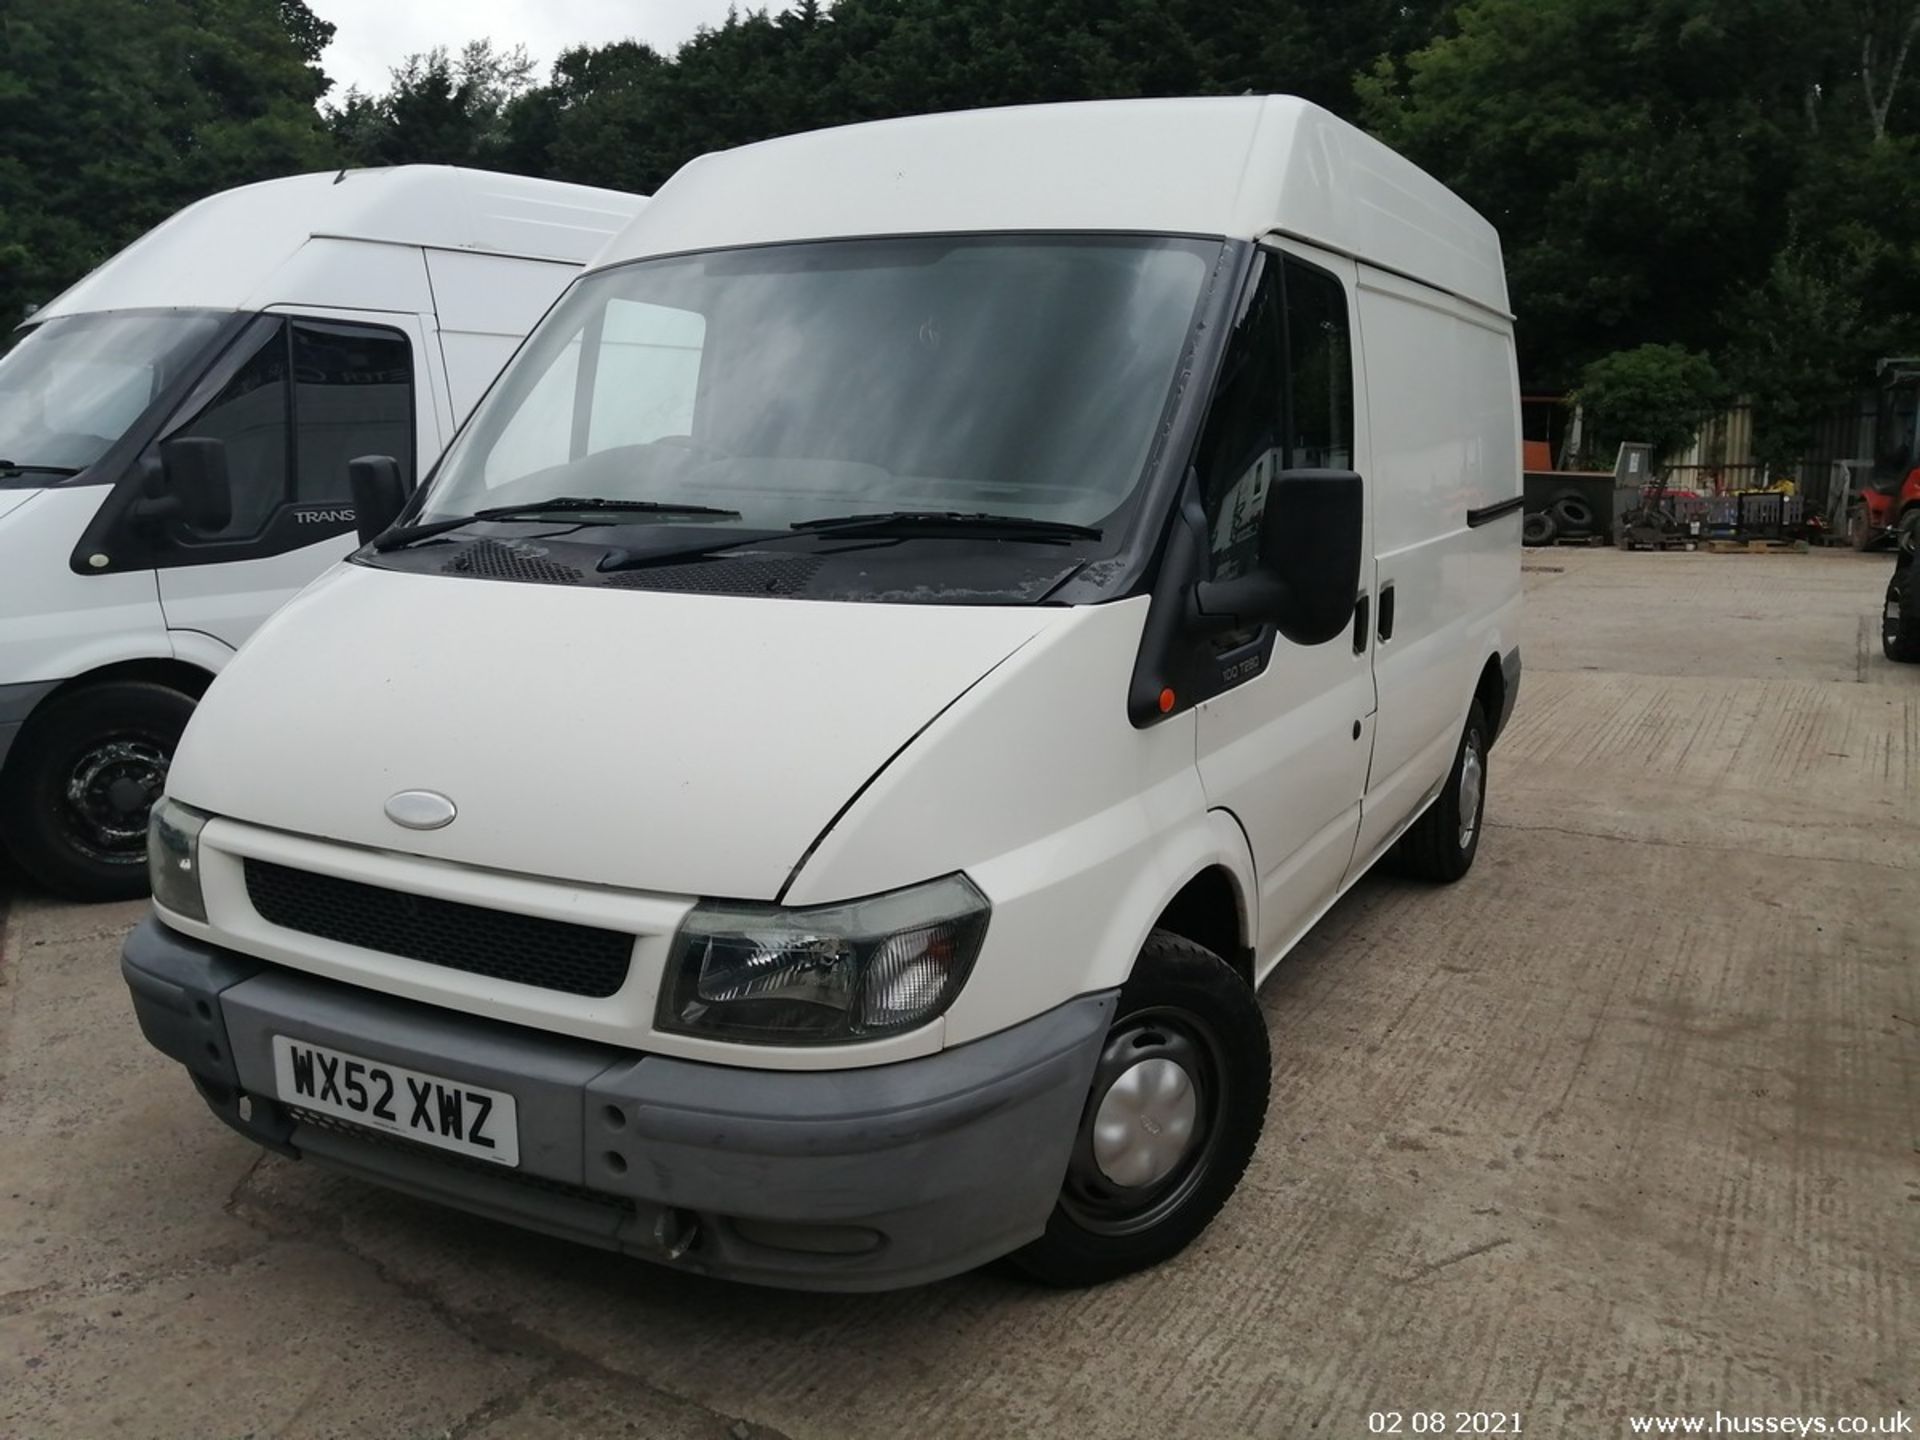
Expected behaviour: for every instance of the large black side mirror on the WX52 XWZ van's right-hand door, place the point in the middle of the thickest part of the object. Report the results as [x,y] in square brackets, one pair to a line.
[1308,562]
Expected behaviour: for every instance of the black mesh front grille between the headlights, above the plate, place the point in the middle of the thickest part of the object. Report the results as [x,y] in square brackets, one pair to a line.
[525,949]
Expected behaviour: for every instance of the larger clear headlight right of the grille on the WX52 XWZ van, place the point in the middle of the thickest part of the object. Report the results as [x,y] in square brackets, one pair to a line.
[825,976]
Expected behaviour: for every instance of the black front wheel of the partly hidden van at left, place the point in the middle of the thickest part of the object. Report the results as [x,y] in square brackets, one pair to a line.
[80,784]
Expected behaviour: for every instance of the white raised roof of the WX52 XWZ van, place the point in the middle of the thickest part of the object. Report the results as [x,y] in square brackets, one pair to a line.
[1236,168]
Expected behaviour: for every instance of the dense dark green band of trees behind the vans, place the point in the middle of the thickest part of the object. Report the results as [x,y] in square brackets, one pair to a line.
[1735,181]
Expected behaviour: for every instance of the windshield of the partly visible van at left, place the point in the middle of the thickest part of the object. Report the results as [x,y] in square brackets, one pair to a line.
[74,385]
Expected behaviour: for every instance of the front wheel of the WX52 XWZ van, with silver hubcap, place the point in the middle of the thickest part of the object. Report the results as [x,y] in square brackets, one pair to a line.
[1178,1105]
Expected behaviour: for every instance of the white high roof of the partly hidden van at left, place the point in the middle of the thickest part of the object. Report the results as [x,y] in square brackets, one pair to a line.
[224,252]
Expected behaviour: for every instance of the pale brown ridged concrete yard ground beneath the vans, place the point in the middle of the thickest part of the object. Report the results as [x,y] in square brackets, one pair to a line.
[1627,1122]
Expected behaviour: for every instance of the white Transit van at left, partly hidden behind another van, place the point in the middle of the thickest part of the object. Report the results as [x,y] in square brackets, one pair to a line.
[277,331]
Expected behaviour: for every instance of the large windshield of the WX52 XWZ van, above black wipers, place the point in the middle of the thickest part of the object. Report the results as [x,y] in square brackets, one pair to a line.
[996,375]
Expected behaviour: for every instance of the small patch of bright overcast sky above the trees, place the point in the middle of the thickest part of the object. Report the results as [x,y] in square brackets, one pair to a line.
[375,36]
